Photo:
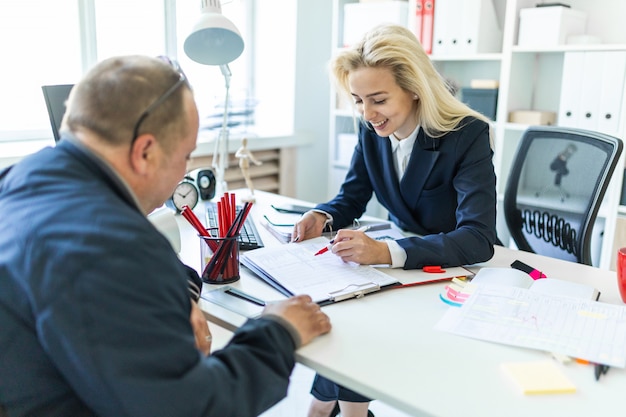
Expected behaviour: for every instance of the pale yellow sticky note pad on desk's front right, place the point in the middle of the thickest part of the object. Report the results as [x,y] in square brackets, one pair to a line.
[539,377]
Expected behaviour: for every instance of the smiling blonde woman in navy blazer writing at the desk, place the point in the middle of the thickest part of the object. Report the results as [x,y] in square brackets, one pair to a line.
[427,158]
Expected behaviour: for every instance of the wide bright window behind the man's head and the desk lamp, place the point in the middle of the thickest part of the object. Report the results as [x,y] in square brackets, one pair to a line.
[54,42]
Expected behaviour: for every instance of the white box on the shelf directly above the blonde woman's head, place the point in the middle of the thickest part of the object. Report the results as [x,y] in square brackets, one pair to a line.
[358,18]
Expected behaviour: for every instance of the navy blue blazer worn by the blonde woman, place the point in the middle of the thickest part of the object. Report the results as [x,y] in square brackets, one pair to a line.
[447,194]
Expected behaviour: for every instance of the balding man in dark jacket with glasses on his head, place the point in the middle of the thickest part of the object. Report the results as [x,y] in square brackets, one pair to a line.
[94,303]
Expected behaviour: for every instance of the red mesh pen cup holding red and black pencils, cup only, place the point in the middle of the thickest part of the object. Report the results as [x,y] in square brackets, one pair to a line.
[220,259]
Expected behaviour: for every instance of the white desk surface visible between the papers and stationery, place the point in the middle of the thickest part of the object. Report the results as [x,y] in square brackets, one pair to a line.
[385,345]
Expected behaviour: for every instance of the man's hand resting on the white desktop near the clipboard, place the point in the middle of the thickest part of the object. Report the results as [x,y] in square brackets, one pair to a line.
[303,314]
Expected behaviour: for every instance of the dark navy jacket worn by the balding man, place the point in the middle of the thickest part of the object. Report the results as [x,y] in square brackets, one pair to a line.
[94,307]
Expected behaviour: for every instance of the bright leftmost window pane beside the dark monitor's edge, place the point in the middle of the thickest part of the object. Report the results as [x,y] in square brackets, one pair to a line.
[41,45]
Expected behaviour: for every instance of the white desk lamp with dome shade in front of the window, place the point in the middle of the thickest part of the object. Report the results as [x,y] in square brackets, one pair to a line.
[215,40]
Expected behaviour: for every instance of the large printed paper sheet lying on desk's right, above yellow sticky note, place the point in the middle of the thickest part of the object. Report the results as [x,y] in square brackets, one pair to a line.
[575,327]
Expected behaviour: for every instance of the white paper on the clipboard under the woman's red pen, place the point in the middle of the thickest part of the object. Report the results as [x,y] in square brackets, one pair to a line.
[296,268]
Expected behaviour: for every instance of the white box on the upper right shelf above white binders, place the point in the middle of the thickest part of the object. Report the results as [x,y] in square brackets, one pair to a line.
[549,26]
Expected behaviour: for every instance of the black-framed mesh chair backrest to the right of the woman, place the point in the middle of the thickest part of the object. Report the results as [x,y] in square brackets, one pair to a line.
[556,184]
